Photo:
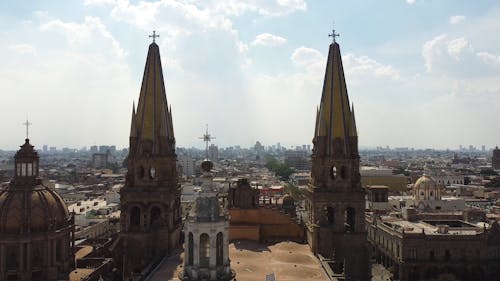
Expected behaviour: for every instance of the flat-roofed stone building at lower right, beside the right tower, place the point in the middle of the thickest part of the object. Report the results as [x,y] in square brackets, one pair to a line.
[425,249]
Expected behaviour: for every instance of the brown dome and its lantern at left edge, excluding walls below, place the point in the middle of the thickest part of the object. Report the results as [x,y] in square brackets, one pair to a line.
[26,205]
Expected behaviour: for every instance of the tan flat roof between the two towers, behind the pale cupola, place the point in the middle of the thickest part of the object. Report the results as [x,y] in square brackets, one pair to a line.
[252,261]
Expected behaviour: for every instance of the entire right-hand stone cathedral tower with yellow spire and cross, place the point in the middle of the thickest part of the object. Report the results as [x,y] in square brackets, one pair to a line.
[336,200]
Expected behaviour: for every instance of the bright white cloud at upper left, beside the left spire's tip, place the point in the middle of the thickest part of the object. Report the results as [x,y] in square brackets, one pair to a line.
[83,34]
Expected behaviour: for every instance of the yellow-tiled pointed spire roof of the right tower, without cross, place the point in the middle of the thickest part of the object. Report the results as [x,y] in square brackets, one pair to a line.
[335,118]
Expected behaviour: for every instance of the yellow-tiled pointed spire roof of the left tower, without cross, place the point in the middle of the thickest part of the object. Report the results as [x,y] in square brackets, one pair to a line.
[153,119]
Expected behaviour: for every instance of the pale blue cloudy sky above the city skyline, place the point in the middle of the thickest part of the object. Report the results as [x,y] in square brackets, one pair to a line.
[420,73]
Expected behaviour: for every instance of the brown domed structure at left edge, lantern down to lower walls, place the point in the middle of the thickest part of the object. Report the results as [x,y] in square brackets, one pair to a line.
[36,229]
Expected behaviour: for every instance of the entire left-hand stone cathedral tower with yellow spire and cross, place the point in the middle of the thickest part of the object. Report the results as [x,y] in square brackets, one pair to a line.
[150,200]
